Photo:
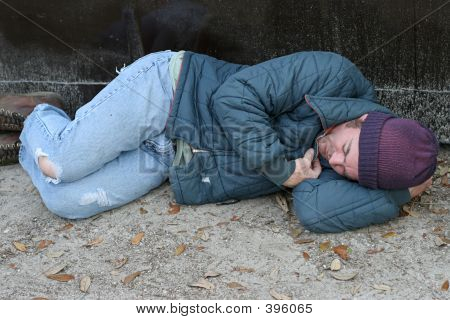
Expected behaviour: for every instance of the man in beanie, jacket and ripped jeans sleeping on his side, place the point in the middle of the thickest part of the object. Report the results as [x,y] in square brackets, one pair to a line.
[308,121]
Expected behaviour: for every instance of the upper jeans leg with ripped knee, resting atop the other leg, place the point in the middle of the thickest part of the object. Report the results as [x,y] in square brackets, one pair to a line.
[132,108]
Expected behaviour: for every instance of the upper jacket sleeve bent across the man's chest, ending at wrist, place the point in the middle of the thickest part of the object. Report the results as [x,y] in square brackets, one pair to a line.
[247,102]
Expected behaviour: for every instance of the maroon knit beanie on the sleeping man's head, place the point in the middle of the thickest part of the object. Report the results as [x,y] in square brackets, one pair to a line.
[395,153]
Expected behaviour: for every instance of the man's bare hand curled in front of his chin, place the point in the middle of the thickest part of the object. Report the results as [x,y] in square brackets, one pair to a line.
[305,168]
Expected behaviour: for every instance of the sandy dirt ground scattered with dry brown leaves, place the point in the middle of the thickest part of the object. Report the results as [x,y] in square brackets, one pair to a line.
[248,250]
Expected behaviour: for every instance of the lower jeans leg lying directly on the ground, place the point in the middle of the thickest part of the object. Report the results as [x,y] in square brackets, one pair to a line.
[124,179]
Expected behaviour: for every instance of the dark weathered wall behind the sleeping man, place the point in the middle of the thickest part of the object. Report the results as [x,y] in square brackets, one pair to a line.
[410,69]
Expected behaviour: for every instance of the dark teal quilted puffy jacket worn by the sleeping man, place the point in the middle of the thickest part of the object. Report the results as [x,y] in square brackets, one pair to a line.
[248,124]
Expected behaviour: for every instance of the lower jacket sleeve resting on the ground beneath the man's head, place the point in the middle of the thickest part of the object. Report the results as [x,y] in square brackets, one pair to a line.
[332,203]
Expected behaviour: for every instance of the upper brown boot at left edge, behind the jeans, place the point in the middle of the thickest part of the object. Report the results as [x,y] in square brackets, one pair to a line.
[15,108]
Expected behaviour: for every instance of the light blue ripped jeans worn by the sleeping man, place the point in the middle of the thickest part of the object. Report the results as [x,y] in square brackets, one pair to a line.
[114,151]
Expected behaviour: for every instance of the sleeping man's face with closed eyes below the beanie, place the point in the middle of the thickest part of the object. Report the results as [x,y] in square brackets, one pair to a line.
[341,148]
